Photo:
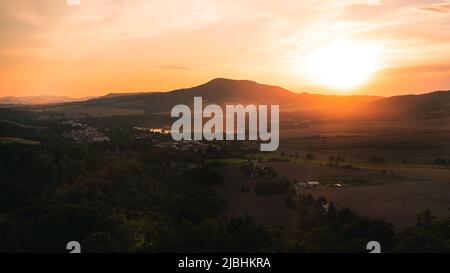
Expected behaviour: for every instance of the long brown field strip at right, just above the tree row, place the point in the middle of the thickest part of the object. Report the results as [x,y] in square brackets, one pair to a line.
[414,148]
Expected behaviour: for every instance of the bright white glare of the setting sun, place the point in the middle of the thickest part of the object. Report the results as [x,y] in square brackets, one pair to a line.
[343,65]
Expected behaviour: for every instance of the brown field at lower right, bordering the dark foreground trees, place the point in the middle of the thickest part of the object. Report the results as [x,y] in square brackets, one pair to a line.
[398,203]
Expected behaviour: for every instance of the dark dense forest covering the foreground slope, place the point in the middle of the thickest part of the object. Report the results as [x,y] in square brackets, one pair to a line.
[124,196]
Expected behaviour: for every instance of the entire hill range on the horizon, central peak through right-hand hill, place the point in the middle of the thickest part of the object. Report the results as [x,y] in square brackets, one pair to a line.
[226,91]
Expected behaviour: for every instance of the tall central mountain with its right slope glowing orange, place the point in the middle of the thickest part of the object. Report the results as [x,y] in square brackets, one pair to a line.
[225,91]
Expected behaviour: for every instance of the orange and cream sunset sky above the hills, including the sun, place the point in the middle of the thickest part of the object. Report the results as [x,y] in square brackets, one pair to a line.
[378,47]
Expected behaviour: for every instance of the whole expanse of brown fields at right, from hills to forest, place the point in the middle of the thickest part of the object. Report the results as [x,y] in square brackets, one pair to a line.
[408,182]
